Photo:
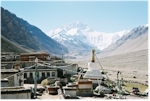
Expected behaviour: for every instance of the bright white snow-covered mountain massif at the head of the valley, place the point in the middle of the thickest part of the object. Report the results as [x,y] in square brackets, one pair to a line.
[79,36]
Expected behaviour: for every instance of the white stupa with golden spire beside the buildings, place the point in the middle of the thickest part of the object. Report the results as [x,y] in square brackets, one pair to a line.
[93,71]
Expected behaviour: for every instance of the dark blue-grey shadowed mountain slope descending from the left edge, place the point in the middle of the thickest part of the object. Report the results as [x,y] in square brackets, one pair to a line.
[28,36]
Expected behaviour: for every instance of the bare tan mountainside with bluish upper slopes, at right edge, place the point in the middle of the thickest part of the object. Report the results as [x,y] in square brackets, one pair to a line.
[135,40]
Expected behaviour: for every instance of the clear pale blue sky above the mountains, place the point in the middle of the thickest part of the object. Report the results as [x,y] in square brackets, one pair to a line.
[104,16]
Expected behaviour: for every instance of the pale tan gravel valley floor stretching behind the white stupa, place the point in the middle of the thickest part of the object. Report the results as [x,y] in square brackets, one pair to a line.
[133,66]
